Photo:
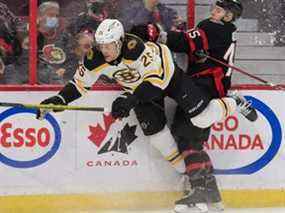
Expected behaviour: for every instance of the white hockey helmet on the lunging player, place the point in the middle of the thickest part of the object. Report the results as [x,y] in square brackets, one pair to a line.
[109,30]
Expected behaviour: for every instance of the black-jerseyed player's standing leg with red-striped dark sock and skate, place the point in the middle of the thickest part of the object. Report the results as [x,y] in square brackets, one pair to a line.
[204,190]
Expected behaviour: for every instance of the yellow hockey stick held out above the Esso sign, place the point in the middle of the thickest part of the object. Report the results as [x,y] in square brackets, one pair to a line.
[53,107]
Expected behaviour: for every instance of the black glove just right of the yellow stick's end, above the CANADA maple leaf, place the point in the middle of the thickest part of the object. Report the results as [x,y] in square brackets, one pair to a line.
[122,106]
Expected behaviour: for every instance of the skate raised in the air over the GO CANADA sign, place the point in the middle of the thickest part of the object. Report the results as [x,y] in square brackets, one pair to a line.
[244,107]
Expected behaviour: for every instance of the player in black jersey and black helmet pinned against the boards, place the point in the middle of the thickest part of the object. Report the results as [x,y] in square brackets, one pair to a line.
[213,36]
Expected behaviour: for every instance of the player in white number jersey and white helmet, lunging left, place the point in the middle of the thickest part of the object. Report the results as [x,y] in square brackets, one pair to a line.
[147,73]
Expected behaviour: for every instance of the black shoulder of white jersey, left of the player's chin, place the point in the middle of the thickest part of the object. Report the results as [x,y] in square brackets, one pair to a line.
[93,59]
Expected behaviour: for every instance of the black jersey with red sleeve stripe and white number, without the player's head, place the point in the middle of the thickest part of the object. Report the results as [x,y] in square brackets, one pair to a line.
[214,37]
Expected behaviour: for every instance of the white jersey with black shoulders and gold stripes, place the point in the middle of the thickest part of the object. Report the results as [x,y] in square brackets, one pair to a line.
[137,63]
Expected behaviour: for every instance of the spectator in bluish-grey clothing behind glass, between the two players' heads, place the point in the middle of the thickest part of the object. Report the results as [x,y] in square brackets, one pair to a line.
[148,11]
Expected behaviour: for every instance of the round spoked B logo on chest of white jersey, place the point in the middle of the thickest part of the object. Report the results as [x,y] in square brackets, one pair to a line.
[127,75]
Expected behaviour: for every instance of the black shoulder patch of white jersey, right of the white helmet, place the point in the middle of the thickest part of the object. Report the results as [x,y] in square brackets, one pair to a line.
[133,47]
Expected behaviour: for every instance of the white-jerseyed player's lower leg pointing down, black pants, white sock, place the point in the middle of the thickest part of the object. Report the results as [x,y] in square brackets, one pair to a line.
[152,120]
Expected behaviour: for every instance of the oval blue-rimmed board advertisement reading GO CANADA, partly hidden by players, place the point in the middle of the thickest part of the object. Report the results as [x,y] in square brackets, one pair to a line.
[239,146]
